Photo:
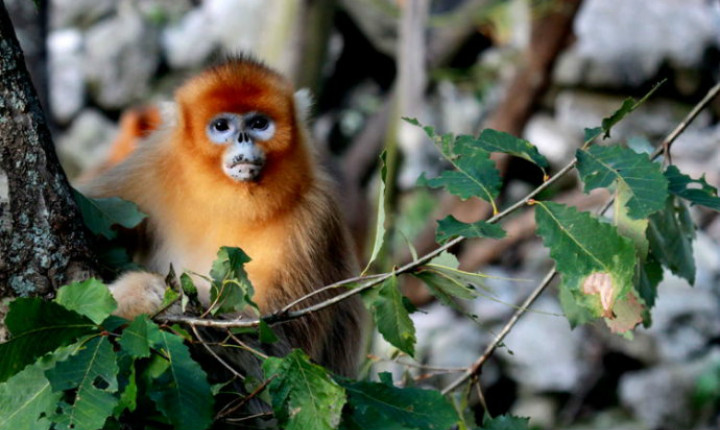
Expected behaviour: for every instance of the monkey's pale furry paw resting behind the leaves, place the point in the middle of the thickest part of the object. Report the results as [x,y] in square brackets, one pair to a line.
[138,293]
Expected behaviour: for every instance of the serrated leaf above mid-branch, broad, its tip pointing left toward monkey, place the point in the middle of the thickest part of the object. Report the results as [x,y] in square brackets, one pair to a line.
[476,176]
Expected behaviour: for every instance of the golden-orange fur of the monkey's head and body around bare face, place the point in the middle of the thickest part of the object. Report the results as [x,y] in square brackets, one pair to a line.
[287,220]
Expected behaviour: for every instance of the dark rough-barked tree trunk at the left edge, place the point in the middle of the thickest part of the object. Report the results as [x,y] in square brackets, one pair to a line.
[43,242]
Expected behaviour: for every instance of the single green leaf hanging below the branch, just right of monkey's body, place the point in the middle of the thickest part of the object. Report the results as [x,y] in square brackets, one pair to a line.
[391,316]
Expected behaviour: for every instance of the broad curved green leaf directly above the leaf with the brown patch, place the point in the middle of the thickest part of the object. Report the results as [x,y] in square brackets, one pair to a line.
[602,166]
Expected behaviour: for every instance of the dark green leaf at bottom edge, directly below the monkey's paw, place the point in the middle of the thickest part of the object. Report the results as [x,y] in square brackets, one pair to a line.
[181,390]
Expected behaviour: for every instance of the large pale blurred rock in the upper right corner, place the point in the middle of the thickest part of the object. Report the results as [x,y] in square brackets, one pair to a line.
[624,42]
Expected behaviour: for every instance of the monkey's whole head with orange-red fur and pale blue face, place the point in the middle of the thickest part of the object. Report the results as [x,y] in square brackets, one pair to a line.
[238,119]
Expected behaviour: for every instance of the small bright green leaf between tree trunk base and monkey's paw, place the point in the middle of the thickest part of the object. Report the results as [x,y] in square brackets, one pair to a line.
[90,298]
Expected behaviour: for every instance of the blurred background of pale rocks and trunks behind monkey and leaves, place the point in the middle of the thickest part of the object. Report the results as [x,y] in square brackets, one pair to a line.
[540,69]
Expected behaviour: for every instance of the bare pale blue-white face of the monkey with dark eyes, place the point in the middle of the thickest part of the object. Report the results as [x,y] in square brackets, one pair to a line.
[243,134]
